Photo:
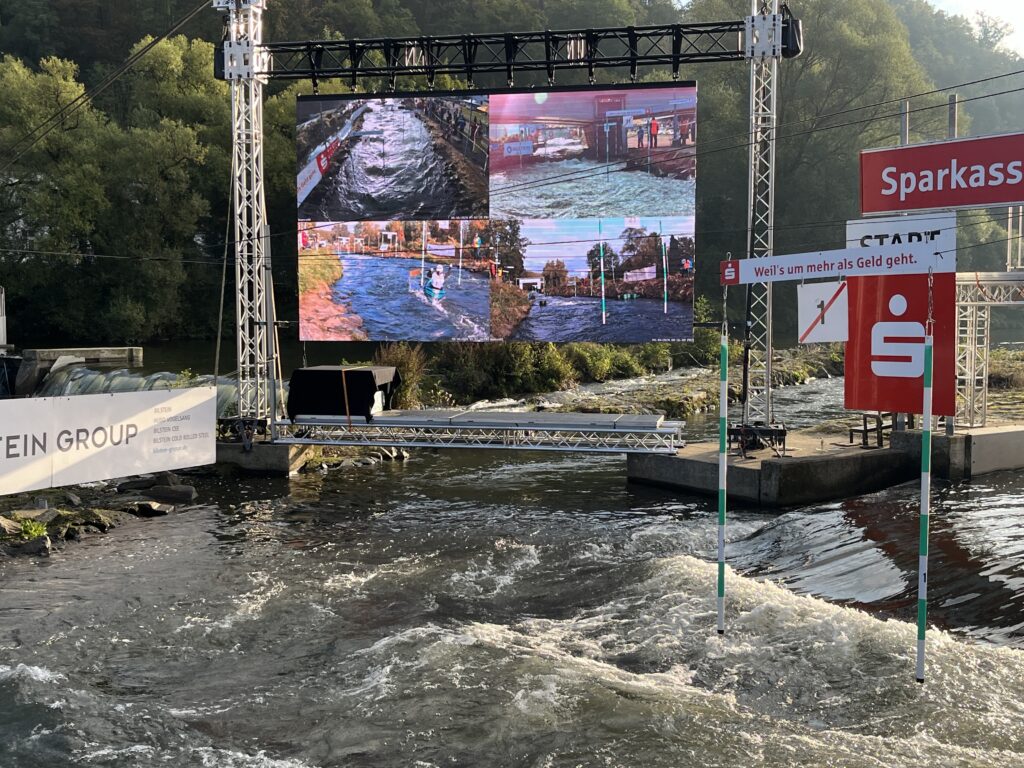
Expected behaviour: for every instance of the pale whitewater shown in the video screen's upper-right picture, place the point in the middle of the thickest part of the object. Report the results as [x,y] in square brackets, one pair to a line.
[584,189]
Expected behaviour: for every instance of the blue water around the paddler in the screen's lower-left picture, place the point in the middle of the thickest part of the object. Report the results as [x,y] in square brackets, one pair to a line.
[394,308]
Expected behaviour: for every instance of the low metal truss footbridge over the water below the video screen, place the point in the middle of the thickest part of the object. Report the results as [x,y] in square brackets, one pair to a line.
[595,434]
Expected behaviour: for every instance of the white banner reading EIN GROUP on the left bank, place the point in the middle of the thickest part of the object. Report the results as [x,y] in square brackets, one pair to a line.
[52,442]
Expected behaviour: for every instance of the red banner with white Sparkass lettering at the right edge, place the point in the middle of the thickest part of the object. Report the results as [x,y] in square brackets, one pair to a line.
[959,174]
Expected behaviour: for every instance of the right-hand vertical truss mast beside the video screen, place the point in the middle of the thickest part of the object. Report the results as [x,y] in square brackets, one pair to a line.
[764,48]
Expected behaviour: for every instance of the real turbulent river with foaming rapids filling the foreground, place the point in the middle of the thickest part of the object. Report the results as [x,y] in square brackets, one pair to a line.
[481,609]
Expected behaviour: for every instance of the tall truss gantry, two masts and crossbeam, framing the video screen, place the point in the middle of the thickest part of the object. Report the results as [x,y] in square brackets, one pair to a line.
[248,64]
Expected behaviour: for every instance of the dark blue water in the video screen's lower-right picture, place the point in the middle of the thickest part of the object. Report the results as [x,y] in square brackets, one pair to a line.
[579,319]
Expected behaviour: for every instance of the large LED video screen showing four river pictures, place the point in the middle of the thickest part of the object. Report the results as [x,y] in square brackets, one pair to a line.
[556,216]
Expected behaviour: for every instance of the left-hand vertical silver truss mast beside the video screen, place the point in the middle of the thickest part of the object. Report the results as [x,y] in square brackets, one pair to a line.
[245,66]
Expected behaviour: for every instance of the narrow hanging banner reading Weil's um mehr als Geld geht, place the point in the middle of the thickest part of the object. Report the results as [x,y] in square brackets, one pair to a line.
[914,259]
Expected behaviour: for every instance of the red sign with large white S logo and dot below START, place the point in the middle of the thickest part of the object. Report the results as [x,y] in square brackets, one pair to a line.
[885,355]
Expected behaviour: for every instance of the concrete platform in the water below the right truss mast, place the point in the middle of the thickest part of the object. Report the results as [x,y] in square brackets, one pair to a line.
[817,468]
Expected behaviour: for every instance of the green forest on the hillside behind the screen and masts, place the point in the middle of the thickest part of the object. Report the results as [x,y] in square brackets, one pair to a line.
[112,228]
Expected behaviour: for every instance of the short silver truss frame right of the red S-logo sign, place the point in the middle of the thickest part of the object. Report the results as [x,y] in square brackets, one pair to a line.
[977,293]
